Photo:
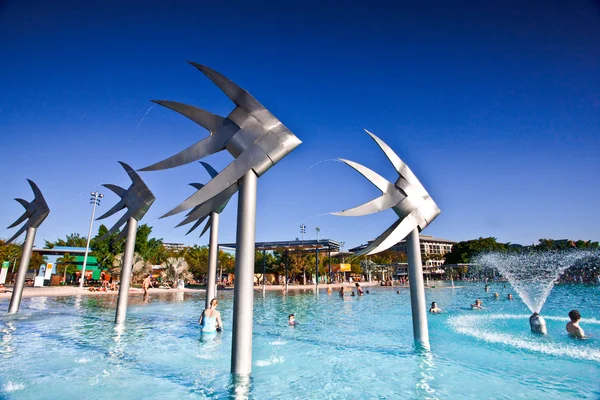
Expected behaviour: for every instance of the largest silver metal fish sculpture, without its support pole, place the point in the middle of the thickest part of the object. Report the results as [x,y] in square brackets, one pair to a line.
[250,133]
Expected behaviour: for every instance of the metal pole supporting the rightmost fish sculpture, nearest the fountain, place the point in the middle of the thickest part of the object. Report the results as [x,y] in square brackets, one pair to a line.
[417,289]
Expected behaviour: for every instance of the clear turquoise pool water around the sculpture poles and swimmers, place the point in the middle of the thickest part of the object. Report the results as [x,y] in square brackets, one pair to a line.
[350,348]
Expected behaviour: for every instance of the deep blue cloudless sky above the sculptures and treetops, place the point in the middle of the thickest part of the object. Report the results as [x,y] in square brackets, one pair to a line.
[494,105]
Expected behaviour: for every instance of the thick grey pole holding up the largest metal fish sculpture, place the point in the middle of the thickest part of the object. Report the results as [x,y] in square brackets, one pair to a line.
[243,295]
